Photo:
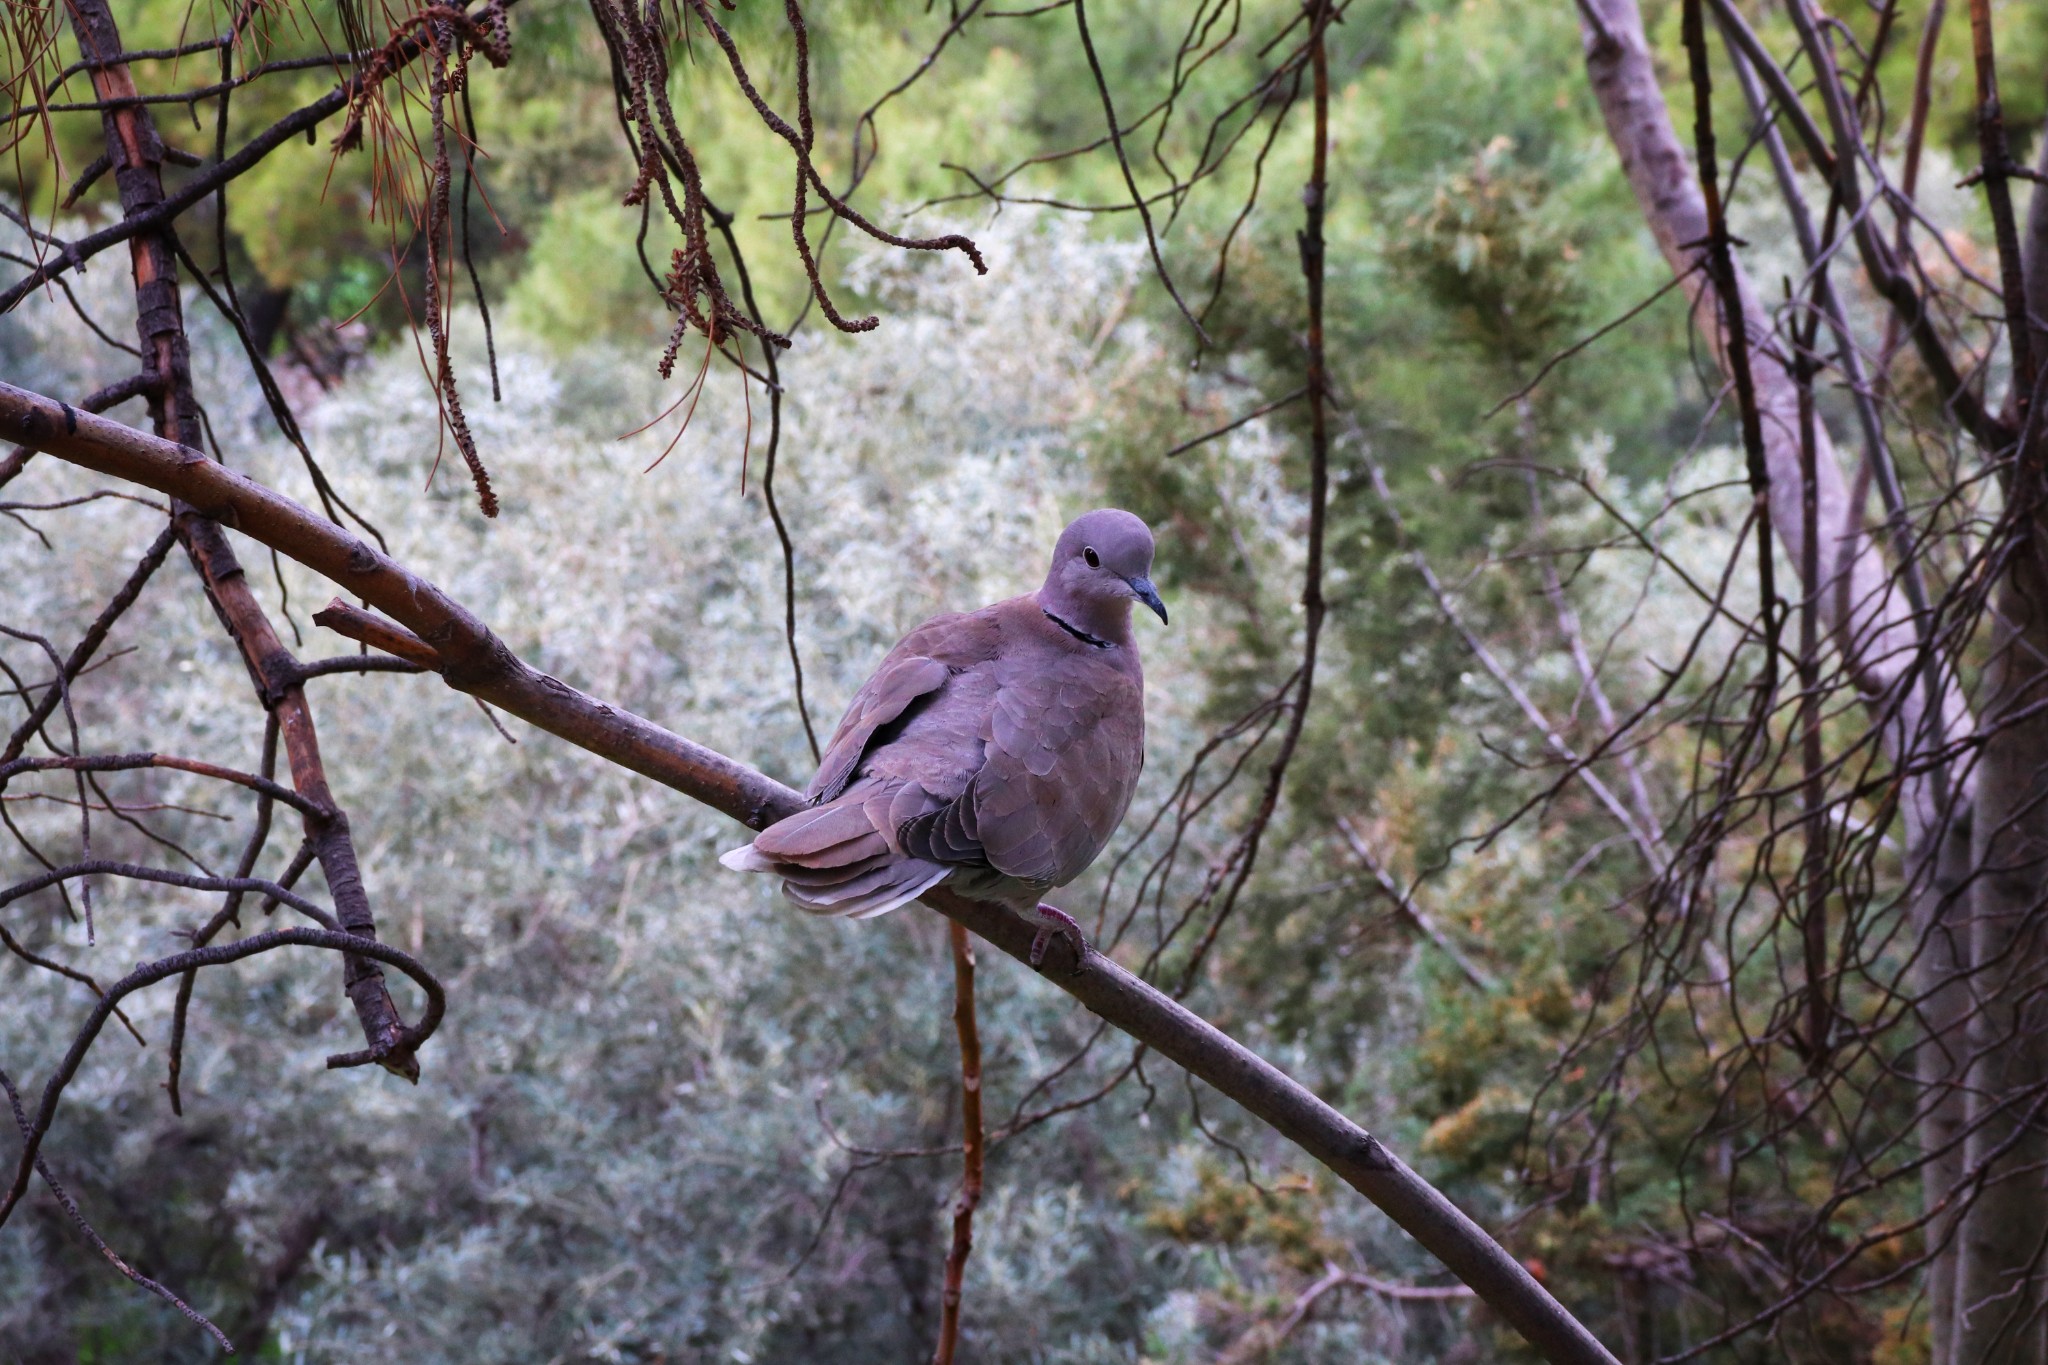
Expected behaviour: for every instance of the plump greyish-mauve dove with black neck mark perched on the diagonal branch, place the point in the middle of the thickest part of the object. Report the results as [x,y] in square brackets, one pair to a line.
[992,750]
